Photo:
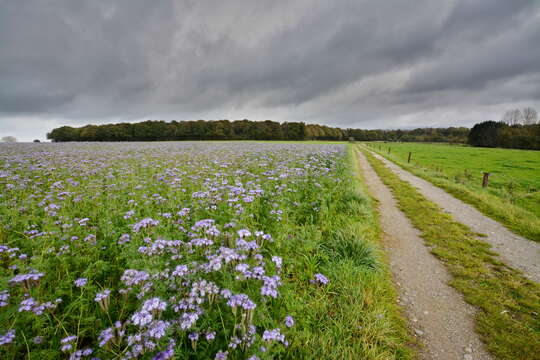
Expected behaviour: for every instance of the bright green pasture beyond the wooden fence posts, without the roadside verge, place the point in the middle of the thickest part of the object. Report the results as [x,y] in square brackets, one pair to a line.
[514,174]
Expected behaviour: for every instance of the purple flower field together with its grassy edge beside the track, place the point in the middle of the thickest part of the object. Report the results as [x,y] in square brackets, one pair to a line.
[189,250]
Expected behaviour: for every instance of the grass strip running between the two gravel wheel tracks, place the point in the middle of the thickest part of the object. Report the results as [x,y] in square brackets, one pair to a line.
[509,304]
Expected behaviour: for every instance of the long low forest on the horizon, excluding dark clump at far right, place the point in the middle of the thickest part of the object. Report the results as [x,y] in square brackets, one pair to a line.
[152,130]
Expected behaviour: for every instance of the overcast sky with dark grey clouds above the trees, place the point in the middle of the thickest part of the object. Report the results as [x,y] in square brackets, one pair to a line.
[358,63]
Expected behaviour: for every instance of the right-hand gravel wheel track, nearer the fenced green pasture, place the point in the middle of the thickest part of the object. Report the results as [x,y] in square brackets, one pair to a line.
[514,250]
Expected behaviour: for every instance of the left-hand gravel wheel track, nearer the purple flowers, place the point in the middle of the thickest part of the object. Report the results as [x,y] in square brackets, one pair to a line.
[439,317]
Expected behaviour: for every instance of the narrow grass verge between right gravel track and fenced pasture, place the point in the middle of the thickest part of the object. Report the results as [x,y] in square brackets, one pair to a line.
[515,218]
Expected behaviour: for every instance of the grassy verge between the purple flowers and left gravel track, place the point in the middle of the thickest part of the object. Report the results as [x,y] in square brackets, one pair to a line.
[356,317]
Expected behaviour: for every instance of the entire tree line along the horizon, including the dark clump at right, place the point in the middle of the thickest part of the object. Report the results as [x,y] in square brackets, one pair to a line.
[509,133]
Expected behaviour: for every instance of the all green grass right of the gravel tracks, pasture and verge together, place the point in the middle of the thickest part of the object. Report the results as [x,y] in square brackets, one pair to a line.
[513,193]
